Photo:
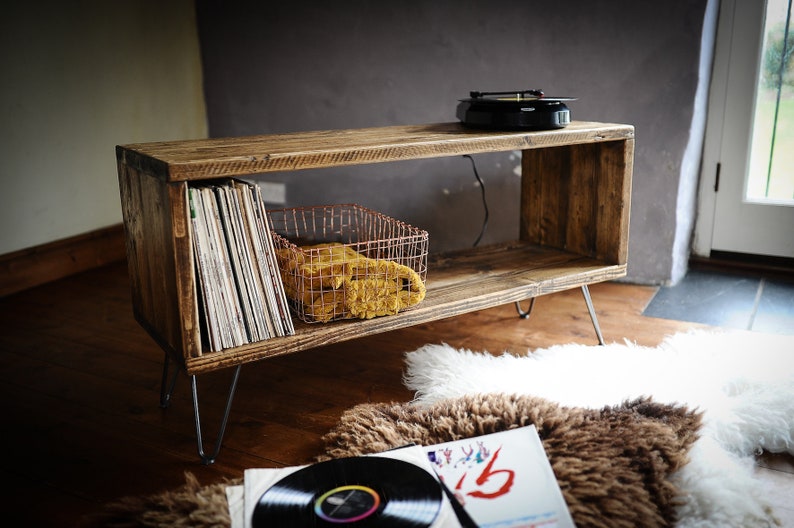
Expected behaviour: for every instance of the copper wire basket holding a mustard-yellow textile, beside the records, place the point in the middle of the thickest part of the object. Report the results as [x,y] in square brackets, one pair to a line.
[346,261]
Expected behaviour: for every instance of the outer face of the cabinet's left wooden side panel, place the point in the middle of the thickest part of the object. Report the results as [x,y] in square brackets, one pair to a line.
[150,256]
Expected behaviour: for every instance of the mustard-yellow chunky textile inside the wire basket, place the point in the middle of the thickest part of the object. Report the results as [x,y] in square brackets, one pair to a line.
[332,281]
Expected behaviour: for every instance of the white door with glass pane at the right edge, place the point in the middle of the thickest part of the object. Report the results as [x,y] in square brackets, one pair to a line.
[746,202]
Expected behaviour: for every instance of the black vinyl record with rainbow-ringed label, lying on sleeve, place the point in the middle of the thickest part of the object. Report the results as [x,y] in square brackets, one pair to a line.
[358,491]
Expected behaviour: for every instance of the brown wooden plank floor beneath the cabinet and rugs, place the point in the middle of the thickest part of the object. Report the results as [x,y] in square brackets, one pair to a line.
[80,384]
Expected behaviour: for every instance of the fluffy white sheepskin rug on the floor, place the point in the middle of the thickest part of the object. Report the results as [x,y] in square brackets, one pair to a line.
[743,383]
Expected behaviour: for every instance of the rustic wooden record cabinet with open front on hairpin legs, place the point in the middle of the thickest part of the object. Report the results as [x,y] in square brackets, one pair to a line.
[573,224]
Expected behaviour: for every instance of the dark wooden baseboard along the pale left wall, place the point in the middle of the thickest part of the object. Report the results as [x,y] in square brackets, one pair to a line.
[38,265]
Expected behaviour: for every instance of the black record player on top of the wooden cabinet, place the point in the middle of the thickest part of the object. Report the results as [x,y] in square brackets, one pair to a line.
[517,110]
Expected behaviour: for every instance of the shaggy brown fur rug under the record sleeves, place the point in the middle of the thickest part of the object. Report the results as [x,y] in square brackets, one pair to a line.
[612,464]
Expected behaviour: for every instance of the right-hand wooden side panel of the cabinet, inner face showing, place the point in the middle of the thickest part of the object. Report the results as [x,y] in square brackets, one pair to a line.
[576,198]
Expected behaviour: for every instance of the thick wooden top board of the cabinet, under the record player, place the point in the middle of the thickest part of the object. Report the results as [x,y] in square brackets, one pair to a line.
[198,159]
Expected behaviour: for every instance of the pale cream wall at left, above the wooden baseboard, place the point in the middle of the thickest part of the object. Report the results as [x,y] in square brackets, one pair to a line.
[76,79]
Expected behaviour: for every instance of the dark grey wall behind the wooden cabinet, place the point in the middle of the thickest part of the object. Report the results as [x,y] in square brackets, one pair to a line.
[282,67]
